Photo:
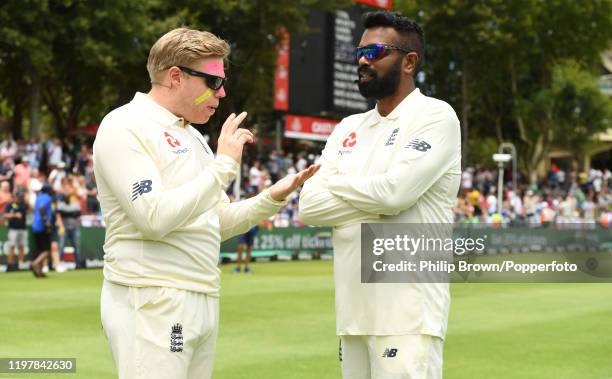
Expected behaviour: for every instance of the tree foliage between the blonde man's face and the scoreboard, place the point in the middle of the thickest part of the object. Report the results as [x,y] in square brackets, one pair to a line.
[252,29]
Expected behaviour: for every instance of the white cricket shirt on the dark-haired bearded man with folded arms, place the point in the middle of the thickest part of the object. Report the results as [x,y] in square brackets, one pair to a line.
[404,167]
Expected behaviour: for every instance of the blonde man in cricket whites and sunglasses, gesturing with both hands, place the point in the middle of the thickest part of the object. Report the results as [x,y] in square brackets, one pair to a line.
[161,191]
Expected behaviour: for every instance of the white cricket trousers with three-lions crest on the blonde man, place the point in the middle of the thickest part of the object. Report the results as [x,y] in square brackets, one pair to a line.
[160,332]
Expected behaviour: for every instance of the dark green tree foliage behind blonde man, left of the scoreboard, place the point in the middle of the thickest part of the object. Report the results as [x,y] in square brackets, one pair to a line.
[84,58]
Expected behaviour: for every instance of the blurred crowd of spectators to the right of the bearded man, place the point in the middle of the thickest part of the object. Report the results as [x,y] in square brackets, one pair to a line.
[562,198]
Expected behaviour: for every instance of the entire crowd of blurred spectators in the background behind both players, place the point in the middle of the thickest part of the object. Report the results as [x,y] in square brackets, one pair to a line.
[66,166]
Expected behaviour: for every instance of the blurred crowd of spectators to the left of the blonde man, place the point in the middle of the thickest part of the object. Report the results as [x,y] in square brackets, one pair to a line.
[62,167]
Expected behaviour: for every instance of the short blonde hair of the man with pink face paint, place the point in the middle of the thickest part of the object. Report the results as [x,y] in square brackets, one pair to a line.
[182,47]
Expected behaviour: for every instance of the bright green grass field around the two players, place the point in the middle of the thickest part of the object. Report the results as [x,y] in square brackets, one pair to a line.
[279,323]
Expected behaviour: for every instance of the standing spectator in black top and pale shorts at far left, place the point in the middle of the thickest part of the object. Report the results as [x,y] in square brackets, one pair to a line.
[16,213]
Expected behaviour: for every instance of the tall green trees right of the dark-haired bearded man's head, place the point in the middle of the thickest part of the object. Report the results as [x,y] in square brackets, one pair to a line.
[495,62]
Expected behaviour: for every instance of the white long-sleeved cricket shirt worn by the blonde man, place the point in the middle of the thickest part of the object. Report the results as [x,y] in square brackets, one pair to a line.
[161,191]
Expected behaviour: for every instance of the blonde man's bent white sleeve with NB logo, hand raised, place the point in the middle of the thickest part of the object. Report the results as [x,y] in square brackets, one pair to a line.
[133,178]
